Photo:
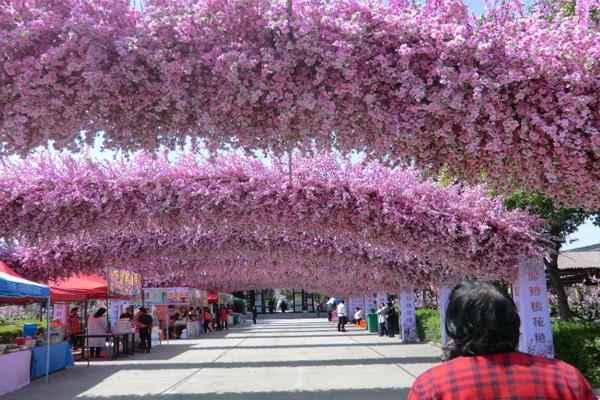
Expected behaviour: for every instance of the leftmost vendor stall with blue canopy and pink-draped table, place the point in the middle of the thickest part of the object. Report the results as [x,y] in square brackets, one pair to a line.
[15,358]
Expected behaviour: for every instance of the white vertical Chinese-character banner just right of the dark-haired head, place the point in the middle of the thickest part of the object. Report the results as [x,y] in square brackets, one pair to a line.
[531,296]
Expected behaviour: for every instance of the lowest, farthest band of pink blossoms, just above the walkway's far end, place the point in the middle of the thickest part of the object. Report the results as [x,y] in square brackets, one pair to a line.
[160,254]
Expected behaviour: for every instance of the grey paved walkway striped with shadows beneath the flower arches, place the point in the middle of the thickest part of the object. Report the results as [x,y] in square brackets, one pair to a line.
[276,359]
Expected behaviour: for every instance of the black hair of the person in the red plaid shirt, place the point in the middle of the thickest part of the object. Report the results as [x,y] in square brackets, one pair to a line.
[481,319]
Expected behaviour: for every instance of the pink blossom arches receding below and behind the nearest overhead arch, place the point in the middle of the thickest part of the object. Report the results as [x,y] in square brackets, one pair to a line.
[184,221]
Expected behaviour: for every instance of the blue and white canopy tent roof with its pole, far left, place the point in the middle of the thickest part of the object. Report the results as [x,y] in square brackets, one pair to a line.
[16,289]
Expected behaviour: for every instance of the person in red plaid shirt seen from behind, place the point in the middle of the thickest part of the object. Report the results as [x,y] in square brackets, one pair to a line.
[483,324]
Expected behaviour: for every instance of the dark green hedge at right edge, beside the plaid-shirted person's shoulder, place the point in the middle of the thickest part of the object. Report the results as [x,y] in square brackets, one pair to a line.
[578,343]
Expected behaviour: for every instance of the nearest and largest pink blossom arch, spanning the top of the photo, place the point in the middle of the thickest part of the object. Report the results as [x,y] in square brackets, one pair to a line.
[513,95]
